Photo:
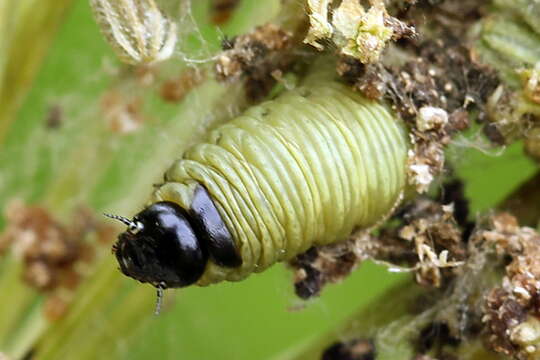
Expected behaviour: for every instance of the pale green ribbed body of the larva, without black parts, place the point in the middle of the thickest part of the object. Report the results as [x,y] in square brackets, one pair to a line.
[304,169]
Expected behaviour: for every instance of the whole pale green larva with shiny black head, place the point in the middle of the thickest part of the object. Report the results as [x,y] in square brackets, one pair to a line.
[304,169]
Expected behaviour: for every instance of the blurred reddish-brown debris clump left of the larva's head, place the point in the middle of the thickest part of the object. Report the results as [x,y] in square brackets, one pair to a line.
[54,255]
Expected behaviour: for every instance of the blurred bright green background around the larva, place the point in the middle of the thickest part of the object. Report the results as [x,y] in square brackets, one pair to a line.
[83,162]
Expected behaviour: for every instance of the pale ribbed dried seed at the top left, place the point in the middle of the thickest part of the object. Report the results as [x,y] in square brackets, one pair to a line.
[137,30]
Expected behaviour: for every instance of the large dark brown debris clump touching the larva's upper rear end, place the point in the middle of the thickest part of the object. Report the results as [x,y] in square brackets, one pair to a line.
[433,83]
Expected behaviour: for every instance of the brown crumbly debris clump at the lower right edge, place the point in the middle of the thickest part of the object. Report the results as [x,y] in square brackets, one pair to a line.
[511,309]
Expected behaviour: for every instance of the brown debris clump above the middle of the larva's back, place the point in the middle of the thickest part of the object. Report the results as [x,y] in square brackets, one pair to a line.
[254,56]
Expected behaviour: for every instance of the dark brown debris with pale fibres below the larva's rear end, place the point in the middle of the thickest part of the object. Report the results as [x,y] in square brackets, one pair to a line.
[422,237]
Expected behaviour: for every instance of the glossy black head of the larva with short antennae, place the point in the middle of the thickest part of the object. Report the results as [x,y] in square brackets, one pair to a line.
[160,247]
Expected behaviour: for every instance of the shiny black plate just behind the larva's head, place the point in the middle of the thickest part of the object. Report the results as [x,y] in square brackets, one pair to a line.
[212,231]
